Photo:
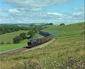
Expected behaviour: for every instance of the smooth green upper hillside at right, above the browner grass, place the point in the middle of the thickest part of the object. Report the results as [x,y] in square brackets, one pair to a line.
[71,30]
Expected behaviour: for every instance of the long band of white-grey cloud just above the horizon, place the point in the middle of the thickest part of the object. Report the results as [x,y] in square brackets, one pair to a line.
[17,16]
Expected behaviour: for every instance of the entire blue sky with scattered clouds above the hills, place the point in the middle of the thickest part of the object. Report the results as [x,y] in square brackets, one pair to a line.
[41,11]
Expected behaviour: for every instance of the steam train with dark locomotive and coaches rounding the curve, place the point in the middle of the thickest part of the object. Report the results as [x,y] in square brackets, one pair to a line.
[47,37]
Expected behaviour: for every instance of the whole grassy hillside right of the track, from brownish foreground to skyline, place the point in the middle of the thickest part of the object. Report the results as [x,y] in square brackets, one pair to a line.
[69,43]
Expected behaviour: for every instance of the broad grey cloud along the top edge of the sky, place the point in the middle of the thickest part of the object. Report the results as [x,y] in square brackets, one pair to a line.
[34,5]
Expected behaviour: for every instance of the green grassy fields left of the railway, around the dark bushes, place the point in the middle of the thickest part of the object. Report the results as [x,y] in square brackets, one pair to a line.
[9,38]
